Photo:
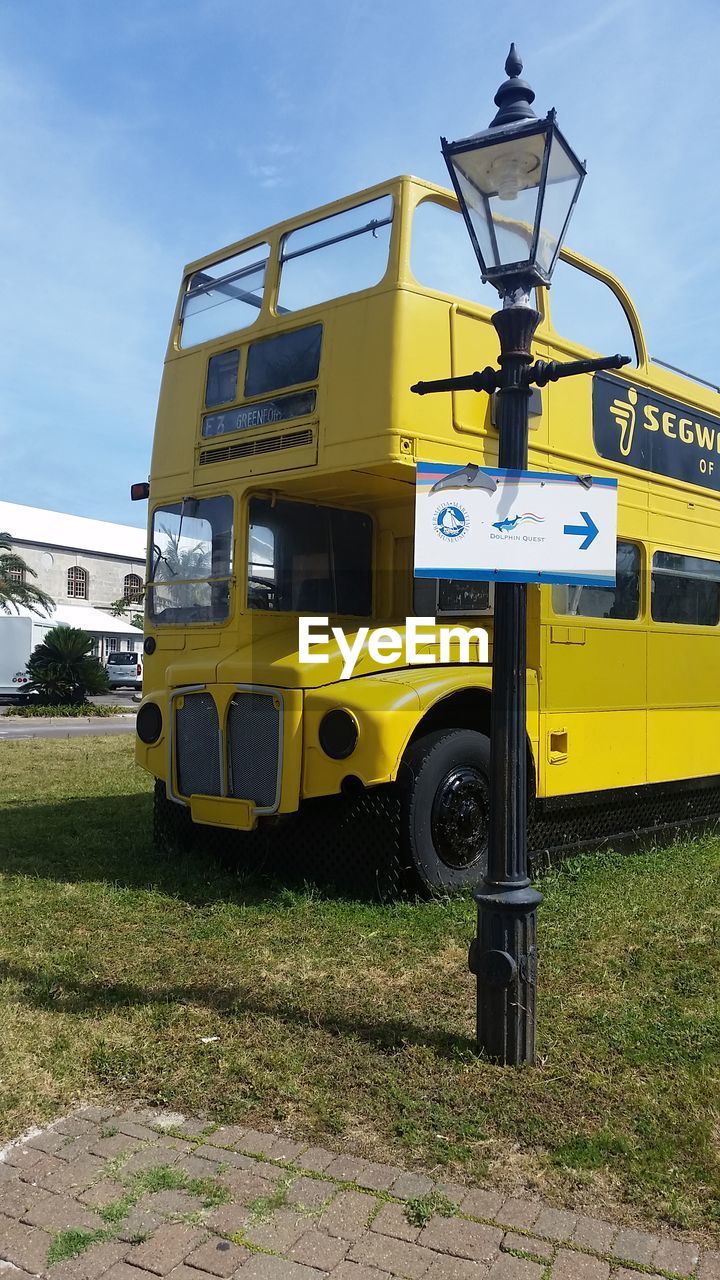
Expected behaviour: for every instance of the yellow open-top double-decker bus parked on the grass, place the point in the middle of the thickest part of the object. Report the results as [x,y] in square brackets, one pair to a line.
[282,487]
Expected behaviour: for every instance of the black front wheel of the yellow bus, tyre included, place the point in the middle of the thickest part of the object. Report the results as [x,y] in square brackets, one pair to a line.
[445,787]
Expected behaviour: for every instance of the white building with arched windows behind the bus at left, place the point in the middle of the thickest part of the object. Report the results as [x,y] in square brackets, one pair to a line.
[85,566]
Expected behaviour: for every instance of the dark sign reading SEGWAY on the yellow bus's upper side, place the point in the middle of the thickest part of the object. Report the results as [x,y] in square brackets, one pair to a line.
[648,431]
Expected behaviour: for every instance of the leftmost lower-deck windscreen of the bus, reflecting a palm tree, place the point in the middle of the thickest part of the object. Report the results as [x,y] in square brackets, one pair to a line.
[192,561]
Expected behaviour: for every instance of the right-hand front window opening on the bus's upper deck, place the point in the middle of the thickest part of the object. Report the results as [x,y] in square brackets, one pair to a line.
[338,255]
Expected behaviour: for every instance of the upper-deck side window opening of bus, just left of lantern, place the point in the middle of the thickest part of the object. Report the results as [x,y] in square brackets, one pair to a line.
[443,258]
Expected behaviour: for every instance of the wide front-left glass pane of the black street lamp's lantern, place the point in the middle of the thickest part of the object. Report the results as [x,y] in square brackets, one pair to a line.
[500,185]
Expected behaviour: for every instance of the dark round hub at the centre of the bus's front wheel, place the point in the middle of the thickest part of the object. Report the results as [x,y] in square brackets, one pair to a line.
[461,817]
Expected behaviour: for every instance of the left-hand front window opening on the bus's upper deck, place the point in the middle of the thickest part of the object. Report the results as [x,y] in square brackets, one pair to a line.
[225,296]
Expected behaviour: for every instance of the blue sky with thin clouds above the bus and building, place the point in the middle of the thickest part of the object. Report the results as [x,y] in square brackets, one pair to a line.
[142,135]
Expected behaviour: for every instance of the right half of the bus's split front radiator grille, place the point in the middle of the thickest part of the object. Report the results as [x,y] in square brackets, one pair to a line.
[254,748]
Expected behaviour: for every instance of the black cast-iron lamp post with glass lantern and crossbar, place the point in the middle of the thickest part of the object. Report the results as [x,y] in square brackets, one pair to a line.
[517,185]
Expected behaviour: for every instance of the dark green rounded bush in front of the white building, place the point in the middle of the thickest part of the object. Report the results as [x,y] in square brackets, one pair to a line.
[63,670]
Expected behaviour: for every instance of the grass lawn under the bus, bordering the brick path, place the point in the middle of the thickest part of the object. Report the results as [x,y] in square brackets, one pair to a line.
[348,1022]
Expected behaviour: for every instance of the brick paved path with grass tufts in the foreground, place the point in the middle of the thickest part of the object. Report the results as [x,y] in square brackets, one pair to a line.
[139,1195]
